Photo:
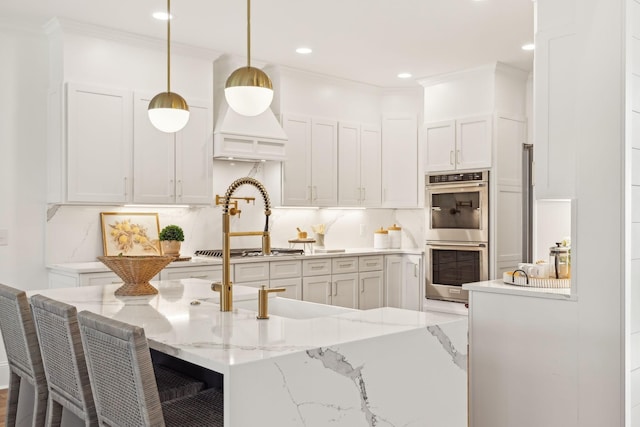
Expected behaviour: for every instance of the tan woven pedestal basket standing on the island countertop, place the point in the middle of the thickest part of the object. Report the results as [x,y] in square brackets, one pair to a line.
[135,272]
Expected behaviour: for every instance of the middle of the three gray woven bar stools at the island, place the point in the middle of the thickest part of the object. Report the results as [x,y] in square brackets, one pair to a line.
[66,368]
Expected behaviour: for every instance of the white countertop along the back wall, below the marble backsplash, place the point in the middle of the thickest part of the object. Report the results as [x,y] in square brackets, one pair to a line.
[98,267]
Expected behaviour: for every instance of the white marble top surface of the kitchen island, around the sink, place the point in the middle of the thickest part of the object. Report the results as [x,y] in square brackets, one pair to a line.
[185,321]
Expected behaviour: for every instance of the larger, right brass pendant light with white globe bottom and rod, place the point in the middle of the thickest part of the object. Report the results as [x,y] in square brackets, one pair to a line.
[248,90]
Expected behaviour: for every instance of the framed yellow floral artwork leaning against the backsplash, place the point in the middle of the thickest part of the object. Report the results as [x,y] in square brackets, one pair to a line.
[130,233]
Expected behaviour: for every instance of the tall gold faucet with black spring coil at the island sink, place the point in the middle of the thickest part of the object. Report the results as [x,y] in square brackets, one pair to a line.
[226,287]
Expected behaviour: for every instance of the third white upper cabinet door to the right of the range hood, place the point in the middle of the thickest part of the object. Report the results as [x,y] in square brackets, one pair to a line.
[349,188]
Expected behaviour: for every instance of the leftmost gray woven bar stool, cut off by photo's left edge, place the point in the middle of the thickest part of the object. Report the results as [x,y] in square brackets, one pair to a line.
[23,354]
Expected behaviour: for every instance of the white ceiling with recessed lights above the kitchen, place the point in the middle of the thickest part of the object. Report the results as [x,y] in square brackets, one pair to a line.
[364,40]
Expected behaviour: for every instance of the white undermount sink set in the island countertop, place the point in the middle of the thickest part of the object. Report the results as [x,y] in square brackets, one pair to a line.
[294,309]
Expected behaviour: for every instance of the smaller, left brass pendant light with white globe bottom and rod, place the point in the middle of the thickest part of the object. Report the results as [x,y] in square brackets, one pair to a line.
[168,111]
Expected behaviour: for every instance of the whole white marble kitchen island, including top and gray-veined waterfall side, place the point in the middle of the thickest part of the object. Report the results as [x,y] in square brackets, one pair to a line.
[314,365]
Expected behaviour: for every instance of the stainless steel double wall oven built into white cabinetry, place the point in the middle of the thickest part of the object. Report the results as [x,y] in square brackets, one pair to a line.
[457,233]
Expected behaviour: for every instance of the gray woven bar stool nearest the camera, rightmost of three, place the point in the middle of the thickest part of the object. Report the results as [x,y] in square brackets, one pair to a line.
[122,380]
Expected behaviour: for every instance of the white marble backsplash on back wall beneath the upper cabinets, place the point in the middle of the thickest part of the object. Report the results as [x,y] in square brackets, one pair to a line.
[74,232]
